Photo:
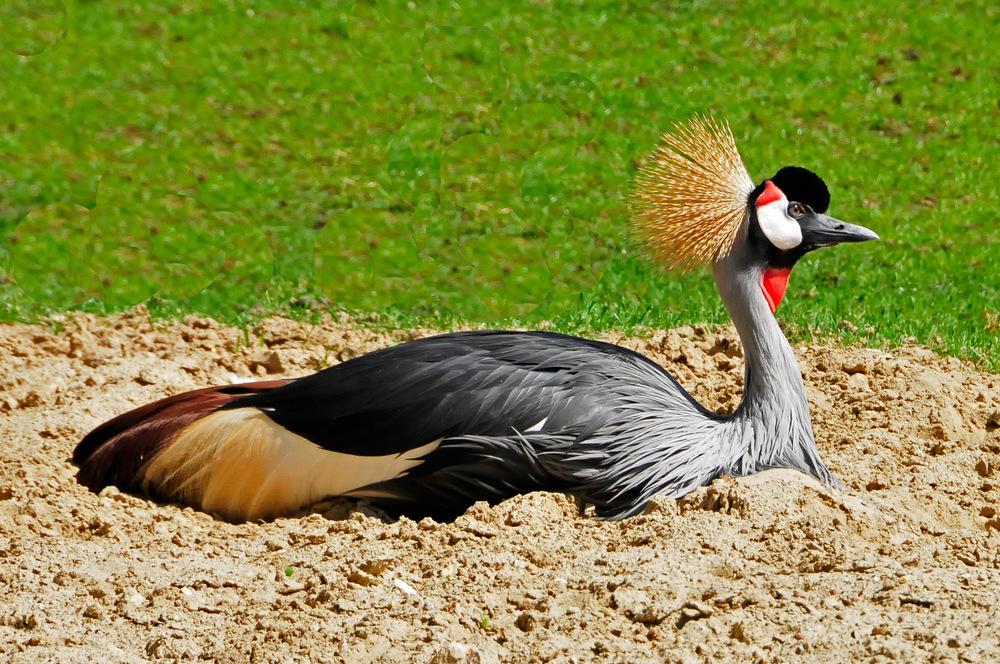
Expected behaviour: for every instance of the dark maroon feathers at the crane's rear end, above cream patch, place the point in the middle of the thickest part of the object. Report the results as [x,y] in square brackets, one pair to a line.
[114,452]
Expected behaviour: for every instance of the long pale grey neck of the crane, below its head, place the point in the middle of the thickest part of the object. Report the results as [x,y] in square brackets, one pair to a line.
[772,427]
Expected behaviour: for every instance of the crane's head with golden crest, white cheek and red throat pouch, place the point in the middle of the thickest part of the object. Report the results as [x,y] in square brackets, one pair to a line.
[695,203]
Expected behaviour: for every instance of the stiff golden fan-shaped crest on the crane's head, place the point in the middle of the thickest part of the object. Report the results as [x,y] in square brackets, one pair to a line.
[691,198]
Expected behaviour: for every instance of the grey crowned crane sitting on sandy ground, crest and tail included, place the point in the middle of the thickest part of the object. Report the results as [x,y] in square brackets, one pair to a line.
[430,426]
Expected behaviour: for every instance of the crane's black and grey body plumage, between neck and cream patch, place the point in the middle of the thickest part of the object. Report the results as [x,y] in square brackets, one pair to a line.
[479,393]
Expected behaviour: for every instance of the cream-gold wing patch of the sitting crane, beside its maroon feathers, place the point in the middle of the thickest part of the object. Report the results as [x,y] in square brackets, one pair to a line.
[242,465]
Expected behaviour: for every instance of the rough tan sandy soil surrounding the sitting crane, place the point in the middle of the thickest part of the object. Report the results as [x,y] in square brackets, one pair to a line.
[902,564]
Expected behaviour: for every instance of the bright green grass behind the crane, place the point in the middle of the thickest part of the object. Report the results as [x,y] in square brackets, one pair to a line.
[320,135]
